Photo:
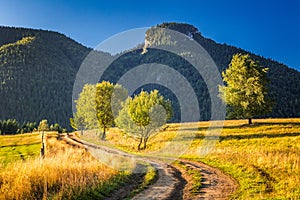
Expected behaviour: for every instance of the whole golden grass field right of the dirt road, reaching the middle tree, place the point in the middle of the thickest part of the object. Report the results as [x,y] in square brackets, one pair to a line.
[263,158]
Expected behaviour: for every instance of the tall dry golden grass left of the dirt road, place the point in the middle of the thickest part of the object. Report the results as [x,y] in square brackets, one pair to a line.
[66,172]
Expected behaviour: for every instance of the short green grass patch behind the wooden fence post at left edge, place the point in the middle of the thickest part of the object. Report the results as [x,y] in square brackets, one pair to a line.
[19,147]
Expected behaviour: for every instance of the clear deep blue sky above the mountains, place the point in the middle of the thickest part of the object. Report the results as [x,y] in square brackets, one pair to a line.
[268,28]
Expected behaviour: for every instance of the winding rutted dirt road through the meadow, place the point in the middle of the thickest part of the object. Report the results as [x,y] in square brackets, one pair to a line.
[173,182]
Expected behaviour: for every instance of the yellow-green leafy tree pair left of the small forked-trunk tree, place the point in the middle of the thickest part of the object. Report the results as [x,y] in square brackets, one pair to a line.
[97,106]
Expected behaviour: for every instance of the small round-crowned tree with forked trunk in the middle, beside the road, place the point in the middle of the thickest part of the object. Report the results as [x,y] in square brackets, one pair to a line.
[143,115]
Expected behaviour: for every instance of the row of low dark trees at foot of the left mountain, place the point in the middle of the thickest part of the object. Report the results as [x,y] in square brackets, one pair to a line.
[12,126]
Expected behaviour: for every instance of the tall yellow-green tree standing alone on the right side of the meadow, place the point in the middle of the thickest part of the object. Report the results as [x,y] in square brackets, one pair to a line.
[246,91]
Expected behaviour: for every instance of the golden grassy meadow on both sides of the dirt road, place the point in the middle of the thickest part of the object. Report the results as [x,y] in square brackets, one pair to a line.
[263,158]
